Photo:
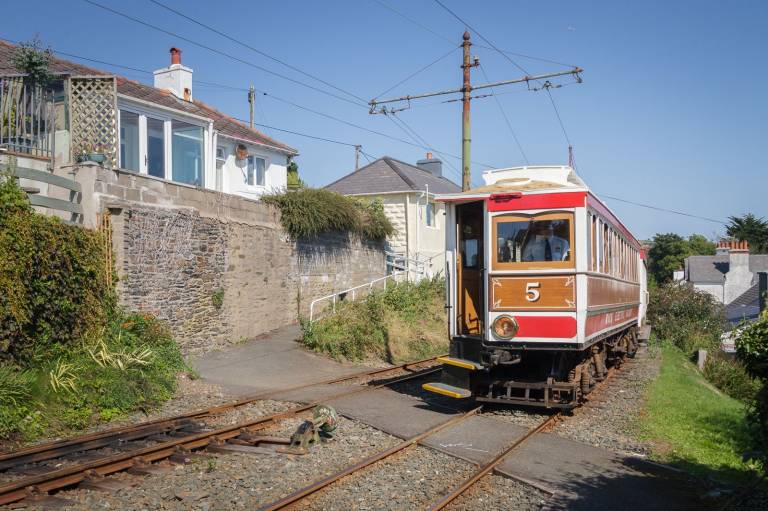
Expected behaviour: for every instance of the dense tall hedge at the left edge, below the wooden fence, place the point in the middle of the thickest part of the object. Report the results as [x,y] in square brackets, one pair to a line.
[53,280]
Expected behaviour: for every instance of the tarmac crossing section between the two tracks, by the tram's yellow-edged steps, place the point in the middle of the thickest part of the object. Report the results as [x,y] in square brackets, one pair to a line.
[397,414]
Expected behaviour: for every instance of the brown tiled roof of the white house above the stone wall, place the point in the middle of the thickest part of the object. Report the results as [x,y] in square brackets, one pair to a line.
[223,123]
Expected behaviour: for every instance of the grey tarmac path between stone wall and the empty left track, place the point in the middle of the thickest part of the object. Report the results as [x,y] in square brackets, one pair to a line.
[271,361]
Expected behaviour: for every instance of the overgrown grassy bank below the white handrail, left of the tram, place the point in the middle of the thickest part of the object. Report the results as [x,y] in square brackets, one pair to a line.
[404,322]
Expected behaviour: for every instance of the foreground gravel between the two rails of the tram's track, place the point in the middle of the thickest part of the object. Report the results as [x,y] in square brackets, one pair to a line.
[407,480]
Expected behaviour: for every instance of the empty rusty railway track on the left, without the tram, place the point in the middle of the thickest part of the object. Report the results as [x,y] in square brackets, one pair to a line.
[174,438]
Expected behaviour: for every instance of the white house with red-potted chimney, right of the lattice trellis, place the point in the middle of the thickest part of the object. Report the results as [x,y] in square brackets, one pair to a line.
[166,133]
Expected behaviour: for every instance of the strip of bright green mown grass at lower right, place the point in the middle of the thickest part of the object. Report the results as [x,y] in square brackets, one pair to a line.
[692,425]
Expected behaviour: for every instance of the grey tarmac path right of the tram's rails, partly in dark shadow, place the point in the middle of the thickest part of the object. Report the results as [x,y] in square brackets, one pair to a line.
[588,478]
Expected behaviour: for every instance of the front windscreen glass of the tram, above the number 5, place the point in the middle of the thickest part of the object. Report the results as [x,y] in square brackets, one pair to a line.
[519,241]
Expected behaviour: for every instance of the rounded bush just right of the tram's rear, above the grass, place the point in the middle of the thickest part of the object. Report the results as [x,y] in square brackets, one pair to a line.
[686,317]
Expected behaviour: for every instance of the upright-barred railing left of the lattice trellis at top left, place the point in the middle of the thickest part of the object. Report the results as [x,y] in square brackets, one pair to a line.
[27,117]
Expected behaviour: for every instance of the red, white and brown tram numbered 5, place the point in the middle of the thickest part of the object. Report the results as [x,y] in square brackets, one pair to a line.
[546,289]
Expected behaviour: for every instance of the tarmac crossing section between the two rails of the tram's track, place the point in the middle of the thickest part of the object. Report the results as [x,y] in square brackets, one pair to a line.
[477,439]
